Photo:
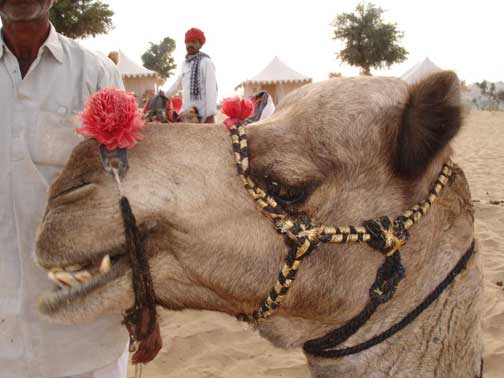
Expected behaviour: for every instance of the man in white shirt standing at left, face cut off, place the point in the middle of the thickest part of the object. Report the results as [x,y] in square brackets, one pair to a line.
[45,80]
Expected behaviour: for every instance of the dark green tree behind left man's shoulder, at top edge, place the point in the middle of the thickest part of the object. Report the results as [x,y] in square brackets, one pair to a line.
[81,18]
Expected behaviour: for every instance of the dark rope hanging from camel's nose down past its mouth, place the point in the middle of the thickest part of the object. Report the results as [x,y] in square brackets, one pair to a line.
[142,280]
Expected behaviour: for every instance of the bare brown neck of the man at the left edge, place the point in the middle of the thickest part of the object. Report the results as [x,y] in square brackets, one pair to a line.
[24,39]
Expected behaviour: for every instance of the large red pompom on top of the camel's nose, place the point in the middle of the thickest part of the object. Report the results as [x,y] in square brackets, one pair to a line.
[111,116]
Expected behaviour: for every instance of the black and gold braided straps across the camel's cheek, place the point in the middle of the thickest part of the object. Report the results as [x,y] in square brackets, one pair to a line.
[304,237]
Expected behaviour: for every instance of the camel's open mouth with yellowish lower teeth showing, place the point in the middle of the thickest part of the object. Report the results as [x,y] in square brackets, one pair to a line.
[76,281]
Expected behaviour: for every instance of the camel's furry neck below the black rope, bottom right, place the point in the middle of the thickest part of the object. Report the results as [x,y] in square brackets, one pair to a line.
[442,342]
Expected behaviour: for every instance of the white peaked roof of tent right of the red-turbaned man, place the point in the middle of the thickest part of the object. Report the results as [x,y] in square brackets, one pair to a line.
[277,72]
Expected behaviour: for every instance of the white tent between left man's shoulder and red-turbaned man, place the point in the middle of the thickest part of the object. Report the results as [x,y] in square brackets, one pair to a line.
[137,79]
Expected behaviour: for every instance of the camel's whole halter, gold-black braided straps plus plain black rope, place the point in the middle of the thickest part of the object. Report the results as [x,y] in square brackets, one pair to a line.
[303,237]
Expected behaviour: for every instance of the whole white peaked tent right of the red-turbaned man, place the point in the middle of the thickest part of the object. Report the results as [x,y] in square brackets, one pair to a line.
[277,78]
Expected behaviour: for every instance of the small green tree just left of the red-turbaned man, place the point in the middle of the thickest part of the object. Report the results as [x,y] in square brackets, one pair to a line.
[159,58]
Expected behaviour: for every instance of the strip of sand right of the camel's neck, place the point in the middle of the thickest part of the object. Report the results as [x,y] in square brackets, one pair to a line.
[479,149]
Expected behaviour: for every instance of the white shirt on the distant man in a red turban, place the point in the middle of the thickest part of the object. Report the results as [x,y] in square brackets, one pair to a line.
[207,105]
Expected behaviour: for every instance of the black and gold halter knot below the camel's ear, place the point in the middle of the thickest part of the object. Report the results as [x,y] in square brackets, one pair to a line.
[386,236]
